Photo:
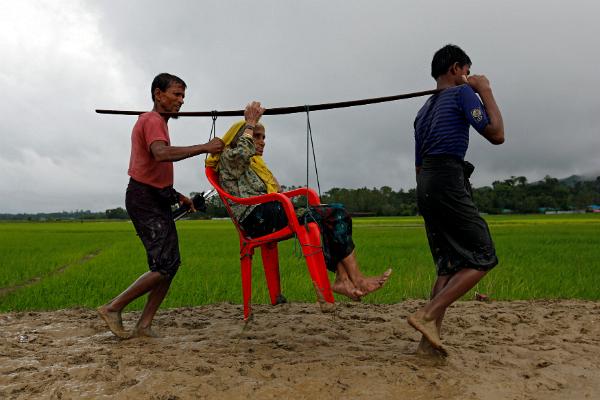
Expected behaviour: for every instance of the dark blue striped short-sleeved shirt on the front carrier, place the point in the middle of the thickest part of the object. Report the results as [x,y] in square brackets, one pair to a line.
[442,124]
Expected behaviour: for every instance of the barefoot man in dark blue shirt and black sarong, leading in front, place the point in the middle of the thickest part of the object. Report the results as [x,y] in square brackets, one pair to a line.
[459,238]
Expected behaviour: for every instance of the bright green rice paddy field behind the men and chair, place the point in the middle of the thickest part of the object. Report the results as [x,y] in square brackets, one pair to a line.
[45,266]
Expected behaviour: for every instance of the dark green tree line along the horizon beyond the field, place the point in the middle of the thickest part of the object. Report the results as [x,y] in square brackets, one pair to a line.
[512,195]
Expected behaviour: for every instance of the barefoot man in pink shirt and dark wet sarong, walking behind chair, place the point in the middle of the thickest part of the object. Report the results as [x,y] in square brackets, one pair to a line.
[148,200]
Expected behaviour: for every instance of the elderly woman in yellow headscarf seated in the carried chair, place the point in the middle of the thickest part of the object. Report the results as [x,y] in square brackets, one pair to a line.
[243,173]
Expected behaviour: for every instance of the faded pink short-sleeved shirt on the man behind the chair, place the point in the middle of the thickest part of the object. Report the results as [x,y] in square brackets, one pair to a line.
[149,128]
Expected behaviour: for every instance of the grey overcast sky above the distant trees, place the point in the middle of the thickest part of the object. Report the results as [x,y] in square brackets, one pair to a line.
[61,60]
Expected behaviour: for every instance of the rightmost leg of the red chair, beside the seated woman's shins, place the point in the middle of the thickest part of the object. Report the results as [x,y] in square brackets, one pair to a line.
[311,248]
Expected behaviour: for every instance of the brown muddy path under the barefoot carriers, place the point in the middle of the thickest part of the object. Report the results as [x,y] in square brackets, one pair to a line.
[501,350]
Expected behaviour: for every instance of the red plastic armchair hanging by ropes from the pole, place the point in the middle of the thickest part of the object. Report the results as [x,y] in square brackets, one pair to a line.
[308,235]
